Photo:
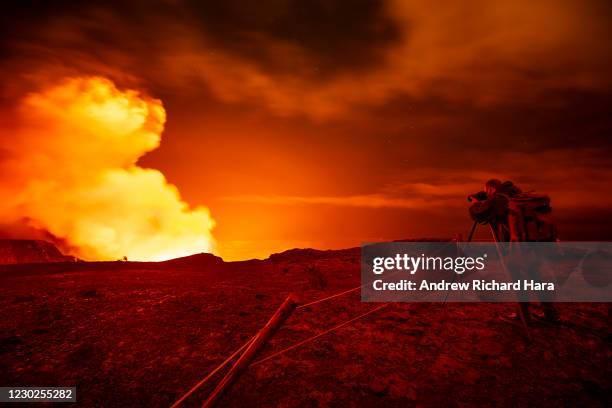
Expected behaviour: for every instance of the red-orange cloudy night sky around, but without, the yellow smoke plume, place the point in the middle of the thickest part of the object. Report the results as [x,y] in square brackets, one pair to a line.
[330,123]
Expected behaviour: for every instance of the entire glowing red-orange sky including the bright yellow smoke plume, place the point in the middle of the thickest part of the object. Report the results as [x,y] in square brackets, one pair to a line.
[325,125]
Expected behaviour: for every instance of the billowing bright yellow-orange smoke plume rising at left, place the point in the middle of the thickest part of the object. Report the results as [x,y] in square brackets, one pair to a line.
[69,167]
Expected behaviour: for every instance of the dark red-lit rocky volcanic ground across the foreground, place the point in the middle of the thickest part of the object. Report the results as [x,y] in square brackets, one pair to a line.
[142,334]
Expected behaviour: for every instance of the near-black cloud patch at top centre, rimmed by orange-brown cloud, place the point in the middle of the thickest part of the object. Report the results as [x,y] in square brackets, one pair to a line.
[336,34]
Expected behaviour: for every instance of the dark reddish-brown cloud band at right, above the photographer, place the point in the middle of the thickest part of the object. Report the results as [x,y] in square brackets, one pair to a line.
[558,119]
